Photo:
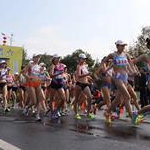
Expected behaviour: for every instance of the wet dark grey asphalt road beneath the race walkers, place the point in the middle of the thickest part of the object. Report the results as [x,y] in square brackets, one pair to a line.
[70,134]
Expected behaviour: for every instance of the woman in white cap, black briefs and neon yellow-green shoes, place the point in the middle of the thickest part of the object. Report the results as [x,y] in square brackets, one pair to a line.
[82,86]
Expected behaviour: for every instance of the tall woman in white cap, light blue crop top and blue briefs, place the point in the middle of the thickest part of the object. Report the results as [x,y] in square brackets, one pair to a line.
[120,63]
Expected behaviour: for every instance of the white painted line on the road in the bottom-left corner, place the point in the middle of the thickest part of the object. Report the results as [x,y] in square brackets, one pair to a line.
[7,146]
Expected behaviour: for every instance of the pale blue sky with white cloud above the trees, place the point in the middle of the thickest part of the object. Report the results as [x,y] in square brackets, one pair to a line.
[62,26]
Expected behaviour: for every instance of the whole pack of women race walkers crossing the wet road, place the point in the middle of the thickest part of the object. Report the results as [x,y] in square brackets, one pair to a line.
[55,92]
